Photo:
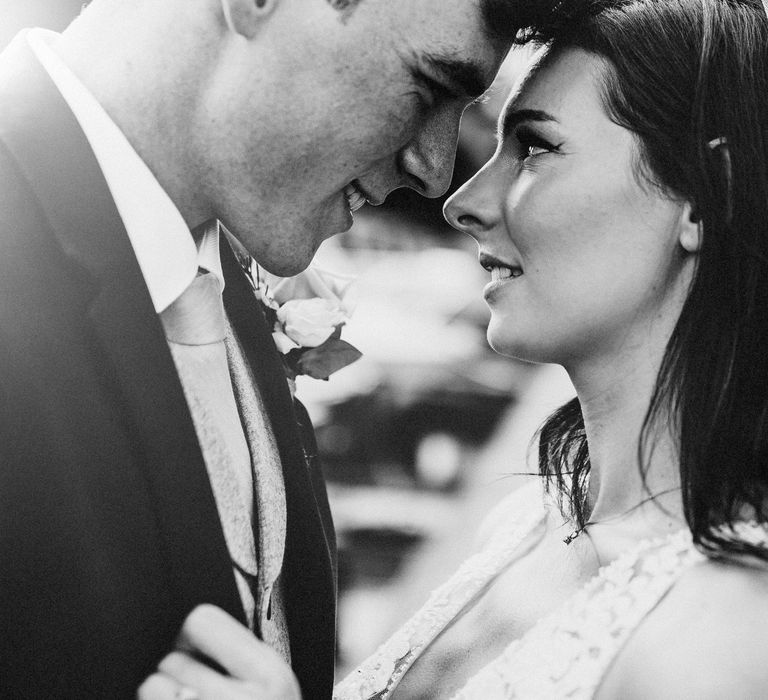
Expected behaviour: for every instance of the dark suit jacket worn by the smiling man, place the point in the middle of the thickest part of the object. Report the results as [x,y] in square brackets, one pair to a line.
[109,533]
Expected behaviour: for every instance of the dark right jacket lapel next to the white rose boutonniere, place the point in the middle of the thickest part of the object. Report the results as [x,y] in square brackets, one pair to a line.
[308,573]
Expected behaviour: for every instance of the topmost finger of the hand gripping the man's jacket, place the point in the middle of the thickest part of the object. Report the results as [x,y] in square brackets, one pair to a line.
[210,631]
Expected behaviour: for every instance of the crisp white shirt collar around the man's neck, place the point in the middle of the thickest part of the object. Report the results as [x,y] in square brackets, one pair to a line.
[166,252]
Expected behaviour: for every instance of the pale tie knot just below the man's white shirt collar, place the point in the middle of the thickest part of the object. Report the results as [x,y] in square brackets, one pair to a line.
[197,316]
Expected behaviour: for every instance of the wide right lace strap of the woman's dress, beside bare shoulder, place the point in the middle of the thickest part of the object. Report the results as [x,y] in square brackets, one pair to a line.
[567,653]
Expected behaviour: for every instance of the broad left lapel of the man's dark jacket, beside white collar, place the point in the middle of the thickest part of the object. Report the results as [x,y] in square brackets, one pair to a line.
[77,203]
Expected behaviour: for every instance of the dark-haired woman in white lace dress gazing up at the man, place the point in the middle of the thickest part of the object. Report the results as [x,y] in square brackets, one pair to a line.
[623,220]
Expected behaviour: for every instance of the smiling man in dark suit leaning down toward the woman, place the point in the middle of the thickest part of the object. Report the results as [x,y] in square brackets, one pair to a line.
[132,448]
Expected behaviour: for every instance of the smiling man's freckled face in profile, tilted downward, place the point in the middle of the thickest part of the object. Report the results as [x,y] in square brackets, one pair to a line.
[326,106]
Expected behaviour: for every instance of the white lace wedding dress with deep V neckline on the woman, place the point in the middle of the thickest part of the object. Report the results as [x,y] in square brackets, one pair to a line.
[567,653]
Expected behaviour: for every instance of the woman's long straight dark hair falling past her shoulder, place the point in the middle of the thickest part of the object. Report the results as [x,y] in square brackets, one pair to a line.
[690,79]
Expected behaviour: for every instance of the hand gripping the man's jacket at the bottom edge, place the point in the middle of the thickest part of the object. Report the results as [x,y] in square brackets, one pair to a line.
[251,669]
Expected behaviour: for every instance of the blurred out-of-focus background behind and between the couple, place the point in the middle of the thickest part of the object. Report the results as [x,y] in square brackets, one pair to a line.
[424,434]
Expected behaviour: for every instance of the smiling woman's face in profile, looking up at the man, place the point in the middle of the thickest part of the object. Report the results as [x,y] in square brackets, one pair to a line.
[585,256]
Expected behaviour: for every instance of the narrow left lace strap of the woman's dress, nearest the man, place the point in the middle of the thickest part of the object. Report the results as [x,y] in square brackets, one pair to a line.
[378,676]
